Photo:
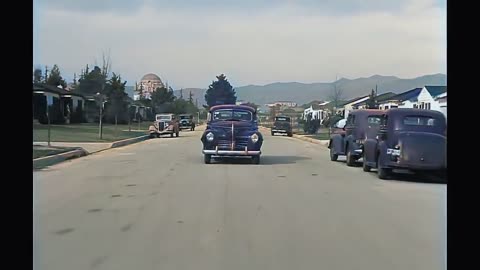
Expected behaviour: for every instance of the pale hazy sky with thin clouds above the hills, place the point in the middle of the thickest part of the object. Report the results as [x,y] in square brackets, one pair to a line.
[188,43]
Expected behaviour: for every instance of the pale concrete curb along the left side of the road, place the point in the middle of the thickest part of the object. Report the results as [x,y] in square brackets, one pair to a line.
[42,162]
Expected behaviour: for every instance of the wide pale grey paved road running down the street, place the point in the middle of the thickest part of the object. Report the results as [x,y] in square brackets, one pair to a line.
[155,205]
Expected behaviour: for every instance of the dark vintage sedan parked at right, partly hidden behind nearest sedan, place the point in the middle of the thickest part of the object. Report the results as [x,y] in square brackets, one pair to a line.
[360,125]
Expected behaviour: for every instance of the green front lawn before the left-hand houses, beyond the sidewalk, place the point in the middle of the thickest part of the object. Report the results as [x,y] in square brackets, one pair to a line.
[87,132]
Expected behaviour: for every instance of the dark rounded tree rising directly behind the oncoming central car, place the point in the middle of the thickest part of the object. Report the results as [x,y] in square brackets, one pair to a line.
[220,92]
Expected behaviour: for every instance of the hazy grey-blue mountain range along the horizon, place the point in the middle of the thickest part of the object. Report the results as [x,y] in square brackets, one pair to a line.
[302,93]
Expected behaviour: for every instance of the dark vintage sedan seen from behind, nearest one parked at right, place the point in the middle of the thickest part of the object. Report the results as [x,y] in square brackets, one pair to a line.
[409,139]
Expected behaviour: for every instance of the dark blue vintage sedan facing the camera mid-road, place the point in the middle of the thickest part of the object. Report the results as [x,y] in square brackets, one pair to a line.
[232,130]
